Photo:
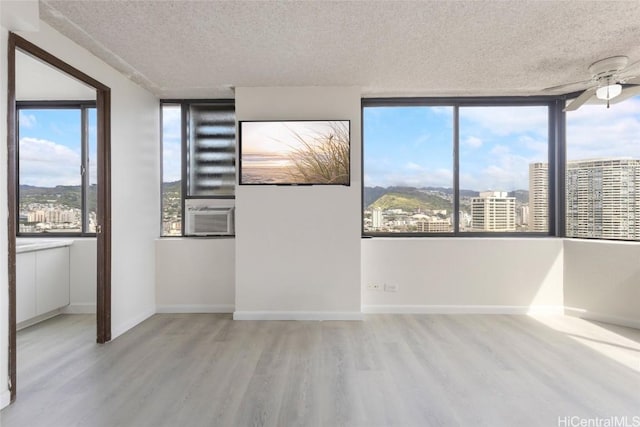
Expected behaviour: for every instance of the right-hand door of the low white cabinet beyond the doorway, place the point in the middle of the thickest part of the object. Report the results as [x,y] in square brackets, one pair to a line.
[52,278]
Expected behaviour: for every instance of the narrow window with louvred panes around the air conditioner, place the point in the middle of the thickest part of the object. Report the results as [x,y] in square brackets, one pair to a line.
[198,157]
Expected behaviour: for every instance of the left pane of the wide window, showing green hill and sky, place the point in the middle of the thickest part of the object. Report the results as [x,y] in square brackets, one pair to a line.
[408,169]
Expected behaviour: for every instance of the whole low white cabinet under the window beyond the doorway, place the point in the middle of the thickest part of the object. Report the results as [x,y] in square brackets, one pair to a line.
[42,282]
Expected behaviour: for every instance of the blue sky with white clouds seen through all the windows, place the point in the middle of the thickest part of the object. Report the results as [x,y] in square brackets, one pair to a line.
[402,146]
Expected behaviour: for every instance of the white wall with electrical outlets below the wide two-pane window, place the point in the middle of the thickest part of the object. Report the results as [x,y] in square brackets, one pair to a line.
[463,275]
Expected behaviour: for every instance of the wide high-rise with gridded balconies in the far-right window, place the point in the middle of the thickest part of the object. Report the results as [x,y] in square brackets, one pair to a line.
[603,198]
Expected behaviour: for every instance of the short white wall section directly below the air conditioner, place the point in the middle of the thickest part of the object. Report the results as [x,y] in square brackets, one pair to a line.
[195,275]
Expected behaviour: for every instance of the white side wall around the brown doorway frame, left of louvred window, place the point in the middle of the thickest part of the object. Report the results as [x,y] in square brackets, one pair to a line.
[135,160]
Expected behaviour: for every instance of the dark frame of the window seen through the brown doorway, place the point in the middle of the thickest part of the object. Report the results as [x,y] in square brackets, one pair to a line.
[83,106]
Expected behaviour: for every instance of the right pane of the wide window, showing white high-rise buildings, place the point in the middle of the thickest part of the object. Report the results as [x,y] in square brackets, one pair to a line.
[504,183]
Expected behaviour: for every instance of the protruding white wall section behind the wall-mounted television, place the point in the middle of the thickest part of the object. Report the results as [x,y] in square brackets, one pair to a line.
[298,248]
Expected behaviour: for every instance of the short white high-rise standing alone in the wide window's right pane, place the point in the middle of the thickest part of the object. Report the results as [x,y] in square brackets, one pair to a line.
[493,211]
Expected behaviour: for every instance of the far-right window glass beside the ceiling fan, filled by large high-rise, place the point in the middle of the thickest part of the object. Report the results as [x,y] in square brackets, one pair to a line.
[603,171]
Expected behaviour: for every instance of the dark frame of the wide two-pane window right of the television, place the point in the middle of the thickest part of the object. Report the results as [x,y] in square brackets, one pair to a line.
[555,158]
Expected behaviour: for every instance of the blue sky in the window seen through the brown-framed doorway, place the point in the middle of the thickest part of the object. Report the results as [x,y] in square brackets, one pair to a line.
[50,147]
